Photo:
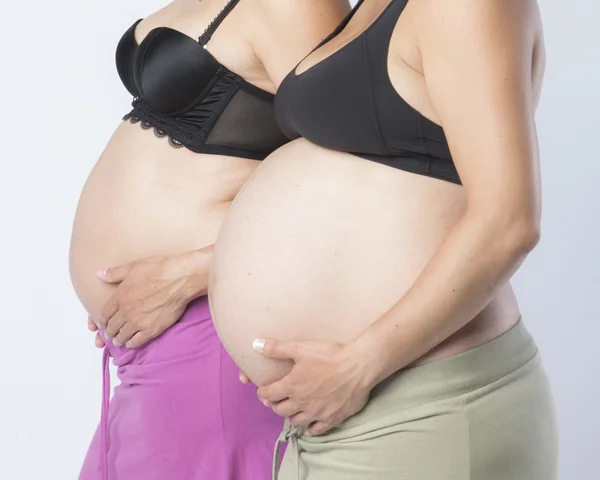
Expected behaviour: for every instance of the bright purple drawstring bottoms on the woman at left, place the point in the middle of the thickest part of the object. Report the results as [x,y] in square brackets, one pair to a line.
[180,412]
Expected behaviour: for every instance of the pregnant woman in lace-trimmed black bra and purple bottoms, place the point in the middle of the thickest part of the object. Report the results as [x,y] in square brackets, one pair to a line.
[203,76]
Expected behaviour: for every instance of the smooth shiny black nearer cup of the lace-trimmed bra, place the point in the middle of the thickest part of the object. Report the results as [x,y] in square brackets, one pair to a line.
[171,71]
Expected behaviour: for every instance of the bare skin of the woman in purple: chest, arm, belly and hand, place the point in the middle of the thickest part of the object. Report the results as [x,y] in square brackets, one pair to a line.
[151,277]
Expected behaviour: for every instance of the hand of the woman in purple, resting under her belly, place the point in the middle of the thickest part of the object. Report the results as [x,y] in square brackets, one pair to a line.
[151,296]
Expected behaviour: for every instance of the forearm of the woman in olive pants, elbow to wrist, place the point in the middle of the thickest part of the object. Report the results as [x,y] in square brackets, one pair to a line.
[467,271]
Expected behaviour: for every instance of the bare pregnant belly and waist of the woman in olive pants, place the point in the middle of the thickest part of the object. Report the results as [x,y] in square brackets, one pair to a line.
[319,244]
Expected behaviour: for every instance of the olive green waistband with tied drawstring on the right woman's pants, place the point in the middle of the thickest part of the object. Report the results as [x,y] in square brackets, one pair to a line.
[433,382]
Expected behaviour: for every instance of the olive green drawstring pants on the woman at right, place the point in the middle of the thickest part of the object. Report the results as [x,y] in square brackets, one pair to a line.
[486,414]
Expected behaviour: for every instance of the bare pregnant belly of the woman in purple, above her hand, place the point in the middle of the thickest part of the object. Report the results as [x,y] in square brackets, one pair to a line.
[145,198]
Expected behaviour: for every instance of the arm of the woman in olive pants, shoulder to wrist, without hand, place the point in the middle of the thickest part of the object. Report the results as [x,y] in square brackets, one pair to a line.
[477,62]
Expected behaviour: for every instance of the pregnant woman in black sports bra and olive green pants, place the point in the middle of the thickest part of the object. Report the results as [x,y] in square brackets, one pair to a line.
[361,276]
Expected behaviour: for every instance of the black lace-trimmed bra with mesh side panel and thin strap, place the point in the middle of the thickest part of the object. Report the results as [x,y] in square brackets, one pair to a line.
[183,92]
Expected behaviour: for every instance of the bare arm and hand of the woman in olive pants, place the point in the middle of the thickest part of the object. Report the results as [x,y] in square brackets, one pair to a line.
[482,63]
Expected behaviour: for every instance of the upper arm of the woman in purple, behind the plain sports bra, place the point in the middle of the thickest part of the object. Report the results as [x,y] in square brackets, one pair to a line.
[285,31]
